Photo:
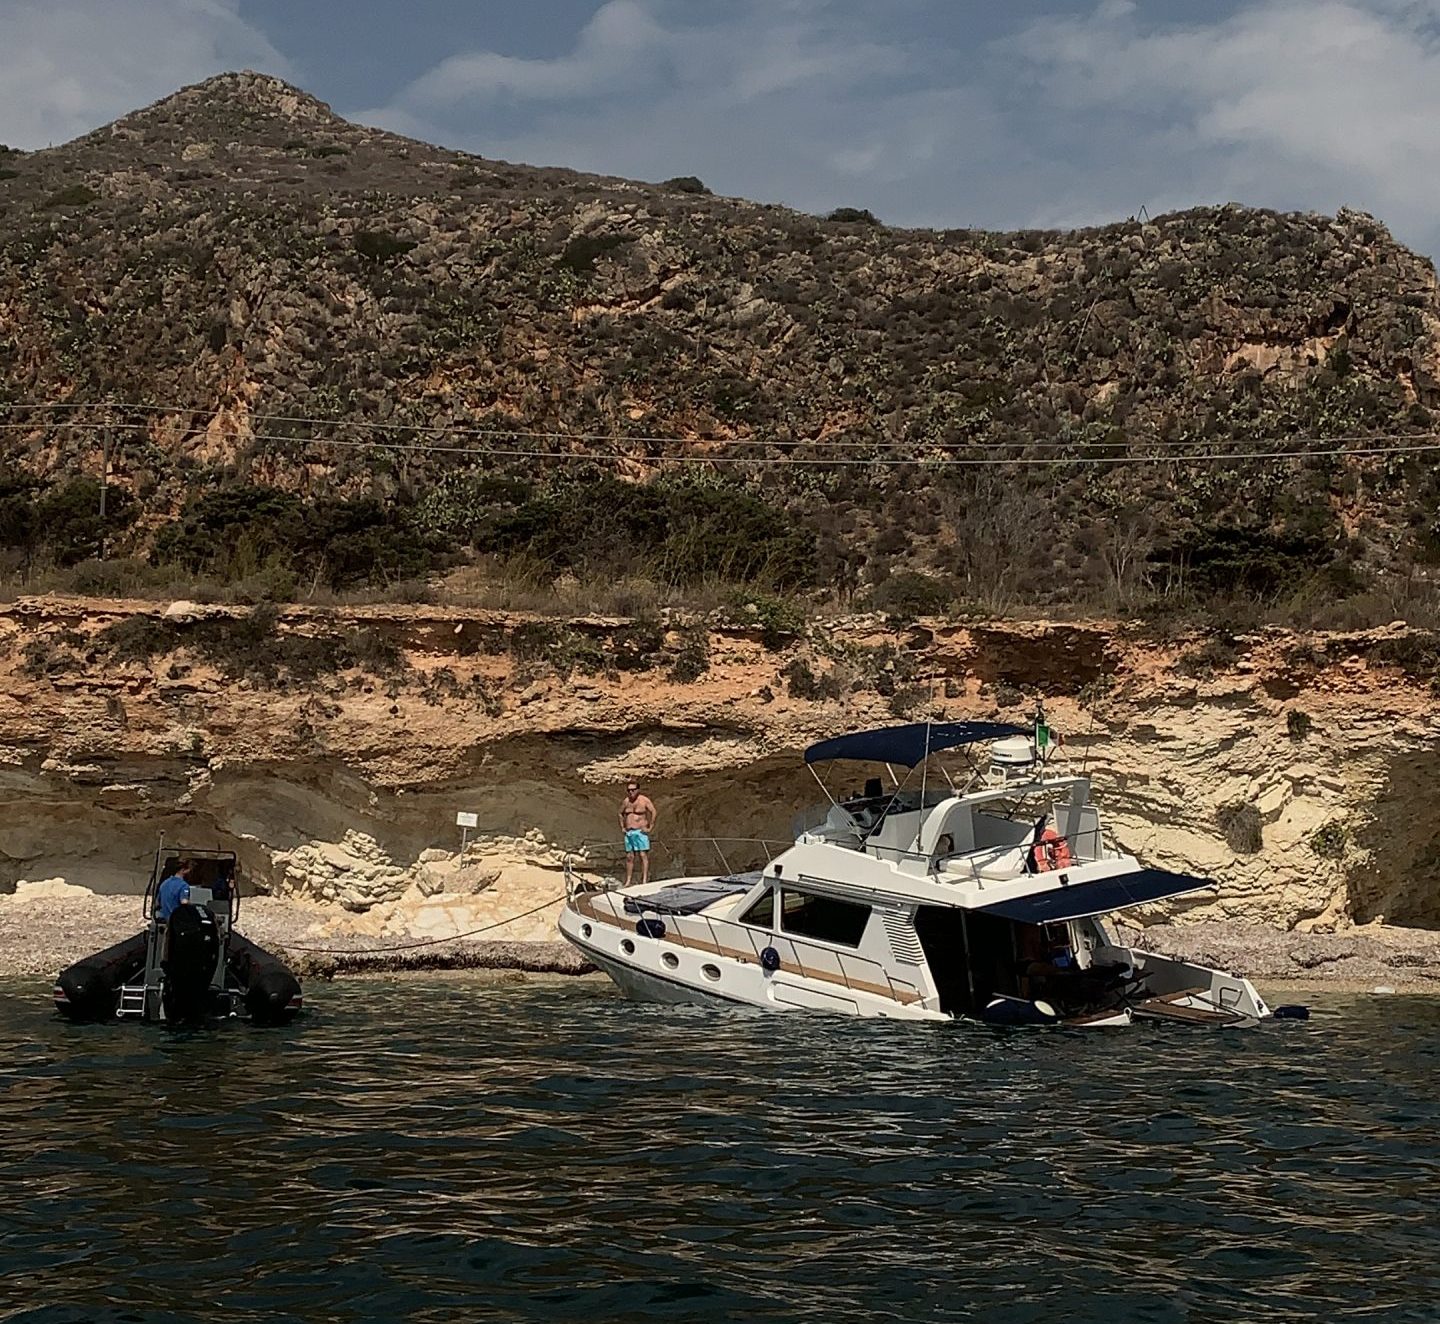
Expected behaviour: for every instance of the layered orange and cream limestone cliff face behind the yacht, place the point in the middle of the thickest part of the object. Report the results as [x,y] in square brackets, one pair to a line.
[333,750]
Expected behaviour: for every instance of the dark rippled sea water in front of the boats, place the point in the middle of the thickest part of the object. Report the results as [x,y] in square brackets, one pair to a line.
[451,1150]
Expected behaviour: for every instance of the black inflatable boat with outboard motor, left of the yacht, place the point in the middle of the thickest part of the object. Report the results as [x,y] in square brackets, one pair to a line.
[189,963]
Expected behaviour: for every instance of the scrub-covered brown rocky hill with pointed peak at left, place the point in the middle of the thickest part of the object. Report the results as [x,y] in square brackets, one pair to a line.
[261,302]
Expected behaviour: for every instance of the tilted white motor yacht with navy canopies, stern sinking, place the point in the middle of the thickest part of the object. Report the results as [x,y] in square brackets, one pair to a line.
[980,898]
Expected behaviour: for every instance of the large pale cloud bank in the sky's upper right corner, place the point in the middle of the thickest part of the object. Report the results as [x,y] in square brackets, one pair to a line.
[1287,103]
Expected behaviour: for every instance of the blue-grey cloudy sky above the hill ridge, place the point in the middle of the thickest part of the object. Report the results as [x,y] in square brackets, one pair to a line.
[945,113]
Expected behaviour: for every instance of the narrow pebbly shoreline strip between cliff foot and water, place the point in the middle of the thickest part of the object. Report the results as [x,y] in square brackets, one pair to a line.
[41,933]
